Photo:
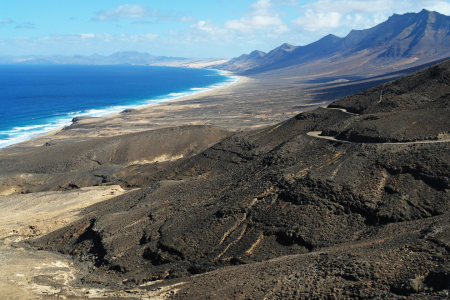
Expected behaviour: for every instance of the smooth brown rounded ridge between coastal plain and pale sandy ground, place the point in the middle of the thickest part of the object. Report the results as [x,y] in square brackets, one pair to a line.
[88,163]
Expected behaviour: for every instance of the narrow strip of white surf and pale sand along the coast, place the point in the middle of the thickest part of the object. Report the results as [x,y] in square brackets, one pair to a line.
[191,94]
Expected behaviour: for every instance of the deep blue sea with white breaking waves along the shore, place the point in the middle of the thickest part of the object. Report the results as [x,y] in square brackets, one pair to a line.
[35,99]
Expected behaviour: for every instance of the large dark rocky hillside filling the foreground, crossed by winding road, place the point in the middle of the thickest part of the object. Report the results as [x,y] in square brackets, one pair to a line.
[282,213]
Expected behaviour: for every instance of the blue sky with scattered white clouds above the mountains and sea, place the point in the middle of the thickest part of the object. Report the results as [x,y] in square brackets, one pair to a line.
[195,28]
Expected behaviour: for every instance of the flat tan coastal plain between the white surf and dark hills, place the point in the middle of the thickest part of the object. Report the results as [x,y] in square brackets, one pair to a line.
[250,103]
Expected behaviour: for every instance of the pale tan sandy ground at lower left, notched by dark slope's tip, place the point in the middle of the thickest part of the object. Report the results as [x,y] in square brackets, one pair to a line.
[32,274]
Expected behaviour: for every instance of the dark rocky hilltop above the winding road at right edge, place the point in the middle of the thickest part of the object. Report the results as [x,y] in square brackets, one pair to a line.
[413,108]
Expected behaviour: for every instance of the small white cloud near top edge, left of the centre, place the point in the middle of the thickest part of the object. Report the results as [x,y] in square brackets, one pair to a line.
[125,11]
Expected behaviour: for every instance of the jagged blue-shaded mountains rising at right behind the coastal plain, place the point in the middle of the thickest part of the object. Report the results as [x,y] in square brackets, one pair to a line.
[402,41]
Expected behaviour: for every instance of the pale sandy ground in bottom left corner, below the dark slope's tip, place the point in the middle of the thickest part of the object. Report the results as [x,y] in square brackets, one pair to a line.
[28,274]
